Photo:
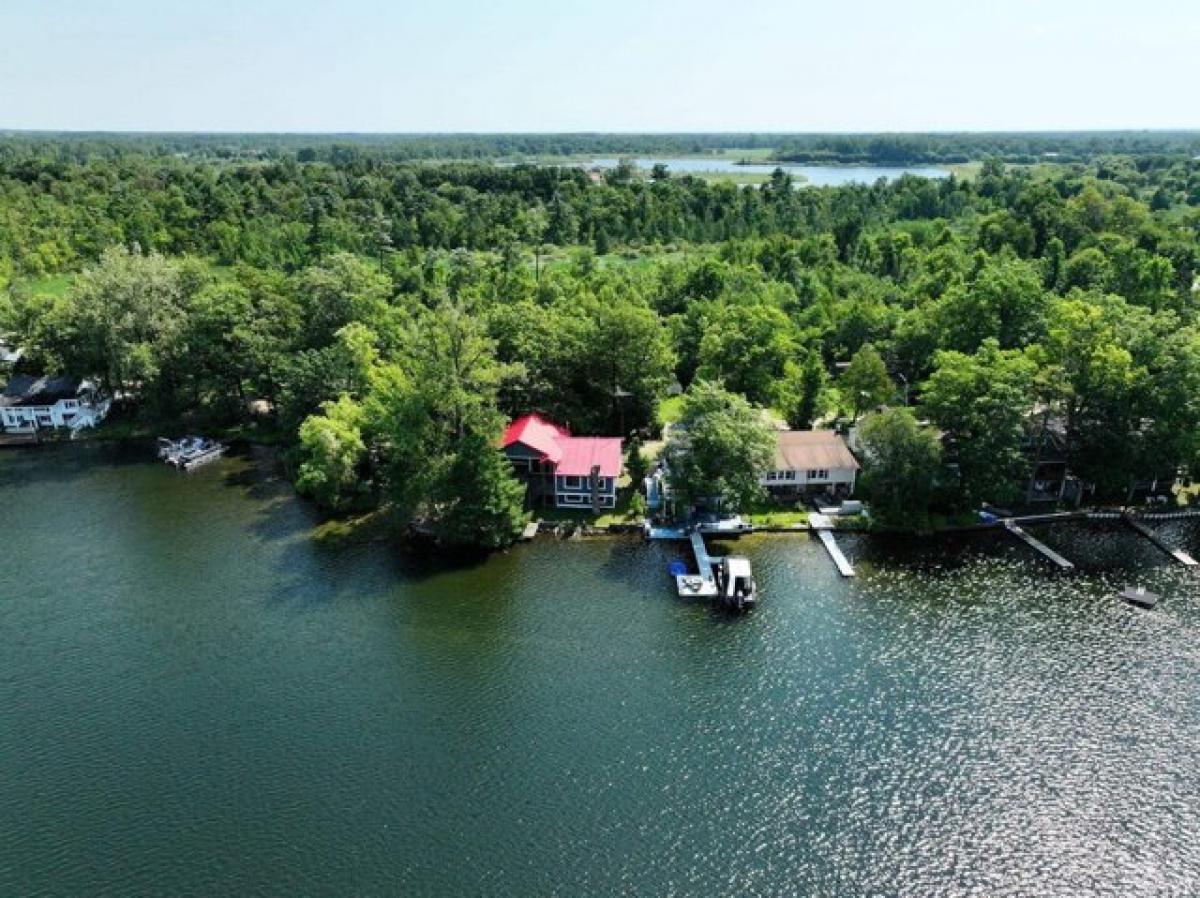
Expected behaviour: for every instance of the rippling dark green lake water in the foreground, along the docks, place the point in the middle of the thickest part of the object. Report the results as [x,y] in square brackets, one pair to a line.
[200,698]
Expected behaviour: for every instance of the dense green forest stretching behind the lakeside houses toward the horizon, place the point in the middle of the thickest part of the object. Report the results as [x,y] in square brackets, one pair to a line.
[393,315]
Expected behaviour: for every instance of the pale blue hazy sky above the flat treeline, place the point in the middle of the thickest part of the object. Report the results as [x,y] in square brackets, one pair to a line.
[620,65]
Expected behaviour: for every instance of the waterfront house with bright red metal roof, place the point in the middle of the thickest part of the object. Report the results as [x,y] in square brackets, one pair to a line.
[563,470]
